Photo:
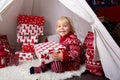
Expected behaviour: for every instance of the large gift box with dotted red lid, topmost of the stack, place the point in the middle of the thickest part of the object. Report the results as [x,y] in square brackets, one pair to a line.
[29,28]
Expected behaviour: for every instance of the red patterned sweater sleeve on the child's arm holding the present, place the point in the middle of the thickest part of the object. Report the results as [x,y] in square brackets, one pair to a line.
[74,50]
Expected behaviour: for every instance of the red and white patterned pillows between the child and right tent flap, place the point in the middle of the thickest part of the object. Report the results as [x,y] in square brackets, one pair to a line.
[92,66]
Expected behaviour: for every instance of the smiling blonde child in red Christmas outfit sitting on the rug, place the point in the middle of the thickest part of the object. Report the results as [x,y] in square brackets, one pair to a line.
[69,59]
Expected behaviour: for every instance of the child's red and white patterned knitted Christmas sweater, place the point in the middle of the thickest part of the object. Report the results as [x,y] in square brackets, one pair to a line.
[71,57]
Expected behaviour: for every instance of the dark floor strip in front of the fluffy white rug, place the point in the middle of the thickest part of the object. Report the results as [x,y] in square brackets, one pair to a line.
[87,76]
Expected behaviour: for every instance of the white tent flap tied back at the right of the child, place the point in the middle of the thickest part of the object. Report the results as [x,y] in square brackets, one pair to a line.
[108,50]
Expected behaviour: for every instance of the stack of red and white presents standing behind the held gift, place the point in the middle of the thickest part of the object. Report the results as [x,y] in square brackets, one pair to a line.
[29,30]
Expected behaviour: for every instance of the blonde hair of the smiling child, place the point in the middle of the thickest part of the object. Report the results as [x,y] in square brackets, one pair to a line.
[69,21]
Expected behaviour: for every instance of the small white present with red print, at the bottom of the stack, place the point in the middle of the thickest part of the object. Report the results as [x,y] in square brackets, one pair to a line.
[24,56]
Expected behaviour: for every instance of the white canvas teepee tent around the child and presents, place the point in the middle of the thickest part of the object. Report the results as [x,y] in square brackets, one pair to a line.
[84,20]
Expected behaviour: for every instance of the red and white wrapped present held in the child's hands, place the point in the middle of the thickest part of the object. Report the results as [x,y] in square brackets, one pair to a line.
[45,50]
